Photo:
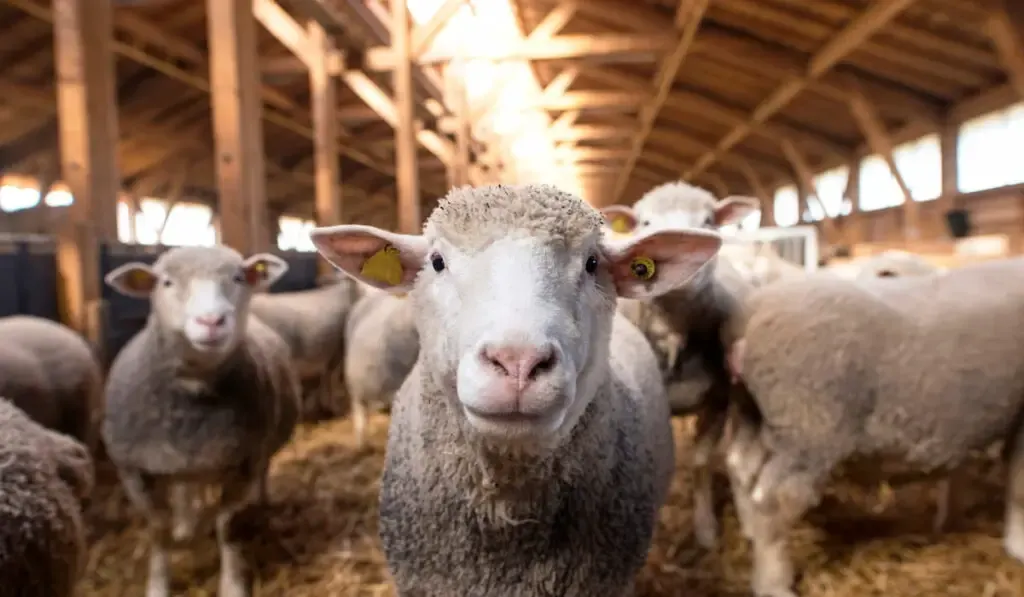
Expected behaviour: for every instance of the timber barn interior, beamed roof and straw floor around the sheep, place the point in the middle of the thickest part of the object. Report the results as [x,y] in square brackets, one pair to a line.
[862,126]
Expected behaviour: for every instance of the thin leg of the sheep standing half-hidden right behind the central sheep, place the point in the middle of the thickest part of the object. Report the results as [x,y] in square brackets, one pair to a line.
[710,425]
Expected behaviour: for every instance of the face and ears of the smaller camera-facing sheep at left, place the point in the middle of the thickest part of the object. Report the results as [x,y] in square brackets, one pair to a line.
[200,294]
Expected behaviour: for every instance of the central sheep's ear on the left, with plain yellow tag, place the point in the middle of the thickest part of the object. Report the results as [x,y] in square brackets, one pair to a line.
[386,261]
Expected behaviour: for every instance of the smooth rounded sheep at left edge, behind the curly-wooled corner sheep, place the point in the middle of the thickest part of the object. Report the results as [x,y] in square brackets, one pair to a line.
[70,400]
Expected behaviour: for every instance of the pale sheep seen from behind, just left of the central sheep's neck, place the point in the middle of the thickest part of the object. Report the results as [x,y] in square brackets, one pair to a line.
[385,348]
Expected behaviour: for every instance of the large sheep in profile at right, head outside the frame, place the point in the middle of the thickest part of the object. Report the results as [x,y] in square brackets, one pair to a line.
[922,370]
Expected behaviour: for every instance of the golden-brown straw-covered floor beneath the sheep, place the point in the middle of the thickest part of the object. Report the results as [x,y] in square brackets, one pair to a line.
[319,538]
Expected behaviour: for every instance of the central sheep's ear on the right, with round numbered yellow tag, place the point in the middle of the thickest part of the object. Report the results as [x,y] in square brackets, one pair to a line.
[652,265]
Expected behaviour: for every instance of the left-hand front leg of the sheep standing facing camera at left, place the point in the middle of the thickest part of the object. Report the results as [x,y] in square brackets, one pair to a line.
[151,501]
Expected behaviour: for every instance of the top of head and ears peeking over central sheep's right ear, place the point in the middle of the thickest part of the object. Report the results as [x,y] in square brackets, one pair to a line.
[678,205]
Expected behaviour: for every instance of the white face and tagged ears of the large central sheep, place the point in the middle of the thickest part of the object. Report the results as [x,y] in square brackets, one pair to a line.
[516,300]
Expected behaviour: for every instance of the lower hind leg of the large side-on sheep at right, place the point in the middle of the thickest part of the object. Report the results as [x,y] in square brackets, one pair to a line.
[784,493]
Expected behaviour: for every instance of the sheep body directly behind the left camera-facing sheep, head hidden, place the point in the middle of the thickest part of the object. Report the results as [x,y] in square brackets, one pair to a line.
[313,324]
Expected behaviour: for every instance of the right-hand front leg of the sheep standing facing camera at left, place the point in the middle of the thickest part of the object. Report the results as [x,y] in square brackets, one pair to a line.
[236,577]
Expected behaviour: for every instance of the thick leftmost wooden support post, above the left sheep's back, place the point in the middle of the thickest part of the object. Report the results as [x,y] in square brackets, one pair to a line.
[89,121]
